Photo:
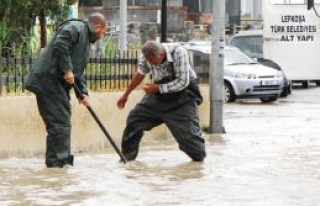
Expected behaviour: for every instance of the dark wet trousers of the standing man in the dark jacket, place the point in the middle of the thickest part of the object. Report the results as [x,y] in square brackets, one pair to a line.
[54,108]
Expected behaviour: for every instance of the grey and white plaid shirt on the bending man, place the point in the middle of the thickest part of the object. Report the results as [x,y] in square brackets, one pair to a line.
[181,68]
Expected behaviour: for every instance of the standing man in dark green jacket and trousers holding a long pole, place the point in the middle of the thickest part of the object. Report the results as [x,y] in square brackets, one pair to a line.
[61,65]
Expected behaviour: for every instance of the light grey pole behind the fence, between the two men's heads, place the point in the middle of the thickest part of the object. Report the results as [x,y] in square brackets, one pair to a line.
[123,27]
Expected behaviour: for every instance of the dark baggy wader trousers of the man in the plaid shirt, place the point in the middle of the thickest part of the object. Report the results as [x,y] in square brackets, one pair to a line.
[180,116]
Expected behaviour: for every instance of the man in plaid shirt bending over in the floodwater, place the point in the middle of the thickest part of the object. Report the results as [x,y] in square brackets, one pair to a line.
[172,98]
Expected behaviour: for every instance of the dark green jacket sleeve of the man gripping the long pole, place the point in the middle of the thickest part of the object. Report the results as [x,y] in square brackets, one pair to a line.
[63,43]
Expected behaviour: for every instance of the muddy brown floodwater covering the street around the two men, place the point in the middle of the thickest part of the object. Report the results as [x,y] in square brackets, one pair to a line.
[270,156]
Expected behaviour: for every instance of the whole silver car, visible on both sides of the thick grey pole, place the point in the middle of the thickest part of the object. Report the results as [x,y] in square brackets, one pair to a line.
[243,76]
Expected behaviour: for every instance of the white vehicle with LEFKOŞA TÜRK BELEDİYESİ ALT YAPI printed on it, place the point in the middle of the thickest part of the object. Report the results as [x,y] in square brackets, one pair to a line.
[291,38]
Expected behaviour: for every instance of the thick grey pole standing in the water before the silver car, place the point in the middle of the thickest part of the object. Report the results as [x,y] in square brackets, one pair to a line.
[217,66]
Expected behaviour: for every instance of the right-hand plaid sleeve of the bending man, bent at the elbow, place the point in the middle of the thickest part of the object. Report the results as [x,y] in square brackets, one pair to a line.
[181,70]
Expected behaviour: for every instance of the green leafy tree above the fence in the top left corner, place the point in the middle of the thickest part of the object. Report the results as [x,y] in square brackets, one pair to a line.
[19,17]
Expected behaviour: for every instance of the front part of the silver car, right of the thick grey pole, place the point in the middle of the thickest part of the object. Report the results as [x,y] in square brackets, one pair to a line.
[245,78]
